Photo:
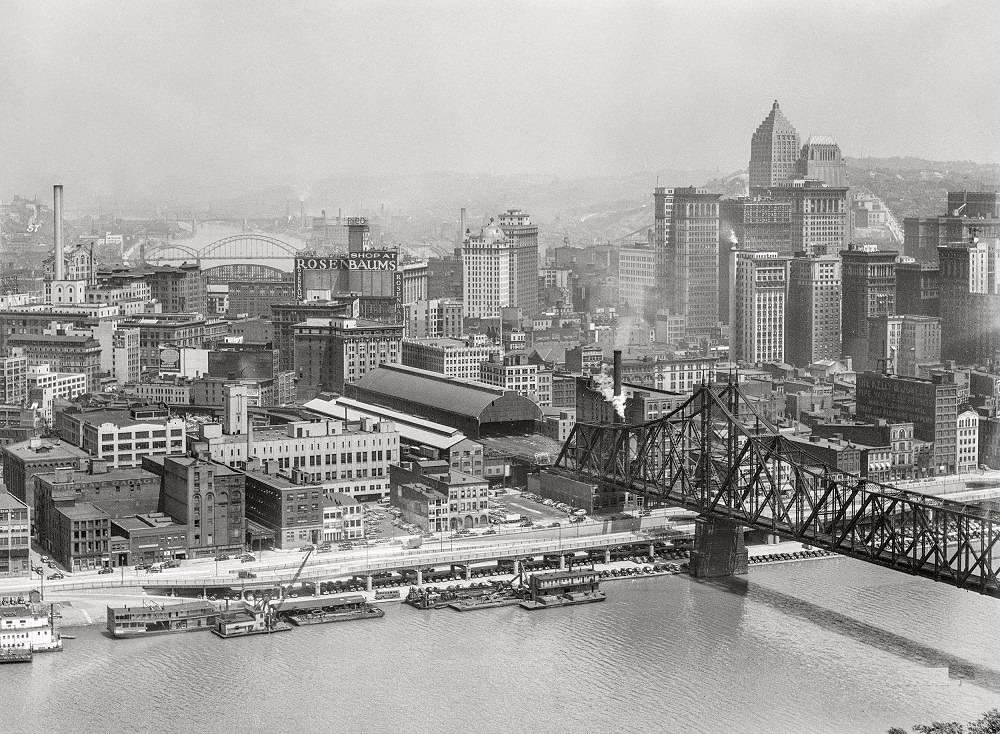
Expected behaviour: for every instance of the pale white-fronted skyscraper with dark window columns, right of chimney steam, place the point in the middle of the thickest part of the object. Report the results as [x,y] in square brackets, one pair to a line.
[758,321]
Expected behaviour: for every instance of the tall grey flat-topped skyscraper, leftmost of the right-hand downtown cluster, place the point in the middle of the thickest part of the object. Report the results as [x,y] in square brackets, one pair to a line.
[686,245]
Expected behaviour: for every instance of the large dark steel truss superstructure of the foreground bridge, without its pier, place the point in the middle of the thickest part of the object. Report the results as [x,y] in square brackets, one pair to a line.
[717,455]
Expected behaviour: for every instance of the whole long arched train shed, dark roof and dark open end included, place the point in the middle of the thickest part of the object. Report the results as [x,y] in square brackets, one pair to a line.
[472,407]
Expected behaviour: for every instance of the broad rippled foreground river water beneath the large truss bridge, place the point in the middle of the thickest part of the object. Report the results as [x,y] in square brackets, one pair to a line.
[832,645]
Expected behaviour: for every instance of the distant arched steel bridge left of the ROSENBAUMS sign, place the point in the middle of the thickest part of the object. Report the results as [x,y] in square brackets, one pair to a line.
[247,256]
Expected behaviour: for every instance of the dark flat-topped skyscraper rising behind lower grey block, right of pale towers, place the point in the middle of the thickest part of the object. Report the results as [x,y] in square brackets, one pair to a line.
[869,290]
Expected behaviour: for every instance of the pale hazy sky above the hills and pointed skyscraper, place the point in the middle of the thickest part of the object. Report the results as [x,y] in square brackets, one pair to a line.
[226,96]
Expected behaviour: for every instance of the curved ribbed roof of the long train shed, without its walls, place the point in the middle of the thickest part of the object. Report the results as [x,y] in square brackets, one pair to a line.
[451,394]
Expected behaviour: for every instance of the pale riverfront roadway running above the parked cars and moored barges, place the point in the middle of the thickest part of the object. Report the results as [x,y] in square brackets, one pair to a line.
[360,563]
